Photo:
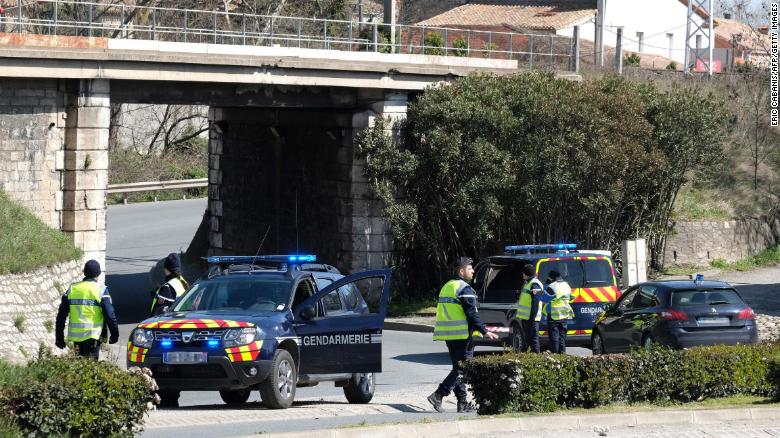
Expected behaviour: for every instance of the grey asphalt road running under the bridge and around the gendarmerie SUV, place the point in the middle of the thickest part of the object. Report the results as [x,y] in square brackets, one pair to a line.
[141,234]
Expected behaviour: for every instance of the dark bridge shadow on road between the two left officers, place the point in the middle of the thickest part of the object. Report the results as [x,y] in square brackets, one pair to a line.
[130,295]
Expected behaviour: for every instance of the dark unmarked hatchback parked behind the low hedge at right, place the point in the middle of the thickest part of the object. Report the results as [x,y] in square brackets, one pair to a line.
[675,313]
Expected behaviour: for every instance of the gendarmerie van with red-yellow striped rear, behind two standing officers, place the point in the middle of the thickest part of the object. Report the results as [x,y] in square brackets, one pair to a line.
[498,281]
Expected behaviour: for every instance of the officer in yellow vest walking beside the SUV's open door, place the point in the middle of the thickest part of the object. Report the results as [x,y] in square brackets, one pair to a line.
[456,319]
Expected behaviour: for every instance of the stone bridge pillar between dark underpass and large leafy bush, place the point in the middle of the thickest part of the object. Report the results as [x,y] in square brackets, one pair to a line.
[367,231]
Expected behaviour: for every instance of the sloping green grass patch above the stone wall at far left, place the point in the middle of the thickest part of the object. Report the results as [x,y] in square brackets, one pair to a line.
[26,243]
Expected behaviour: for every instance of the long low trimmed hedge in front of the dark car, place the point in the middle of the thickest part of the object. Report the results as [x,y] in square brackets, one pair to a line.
[522,382]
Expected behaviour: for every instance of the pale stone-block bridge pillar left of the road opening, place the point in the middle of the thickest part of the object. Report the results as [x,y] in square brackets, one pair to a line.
[85,176]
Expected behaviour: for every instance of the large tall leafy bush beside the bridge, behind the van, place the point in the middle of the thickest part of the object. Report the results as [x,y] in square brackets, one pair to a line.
[478,155]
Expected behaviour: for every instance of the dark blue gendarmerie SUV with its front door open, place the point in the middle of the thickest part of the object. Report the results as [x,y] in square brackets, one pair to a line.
[271,323]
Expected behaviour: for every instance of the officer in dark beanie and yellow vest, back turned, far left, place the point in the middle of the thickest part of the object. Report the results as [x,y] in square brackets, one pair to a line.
[87,306]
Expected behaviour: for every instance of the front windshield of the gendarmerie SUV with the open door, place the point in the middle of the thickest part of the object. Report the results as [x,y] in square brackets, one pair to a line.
[245,294]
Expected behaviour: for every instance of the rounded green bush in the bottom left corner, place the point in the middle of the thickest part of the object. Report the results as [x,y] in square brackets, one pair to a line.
[76,396]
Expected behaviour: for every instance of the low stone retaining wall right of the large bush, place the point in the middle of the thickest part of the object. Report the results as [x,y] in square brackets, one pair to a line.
[698,243]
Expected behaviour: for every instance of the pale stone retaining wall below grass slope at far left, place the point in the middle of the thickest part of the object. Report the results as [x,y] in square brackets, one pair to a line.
[28,308]
